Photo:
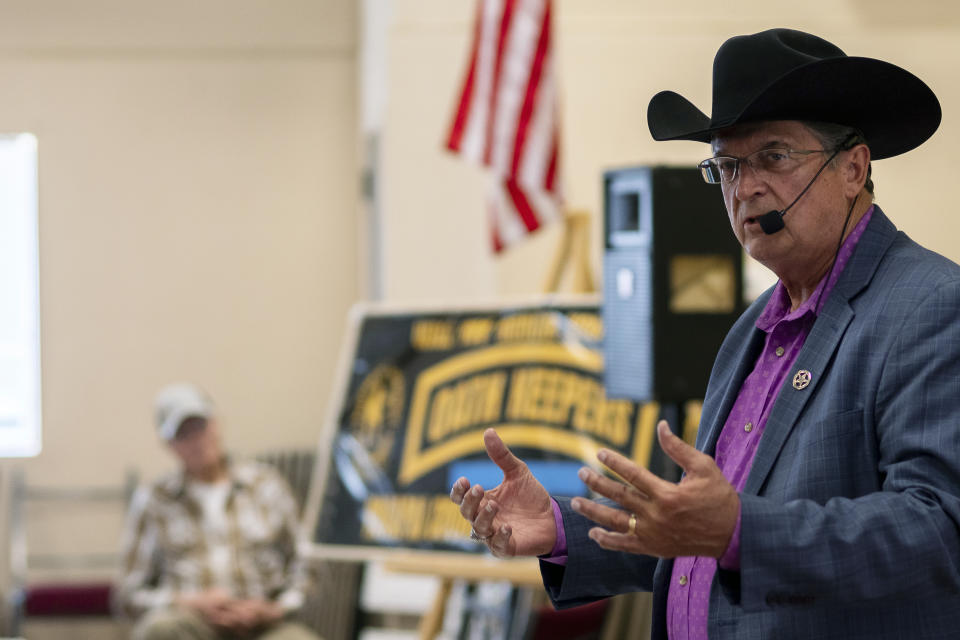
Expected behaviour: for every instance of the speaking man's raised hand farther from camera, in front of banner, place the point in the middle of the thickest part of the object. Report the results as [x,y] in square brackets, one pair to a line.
[514,518]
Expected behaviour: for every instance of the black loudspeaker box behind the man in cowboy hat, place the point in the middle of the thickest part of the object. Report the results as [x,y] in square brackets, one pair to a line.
[672,282]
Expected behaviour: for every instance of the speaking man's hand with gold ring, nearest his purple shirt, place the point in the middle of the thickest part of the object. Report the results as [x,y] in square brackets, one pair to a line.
[693,518]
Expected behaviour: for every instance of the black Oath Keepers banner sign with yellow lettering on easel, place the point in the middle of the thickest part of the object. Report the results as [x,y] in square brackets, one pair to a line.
[418,391]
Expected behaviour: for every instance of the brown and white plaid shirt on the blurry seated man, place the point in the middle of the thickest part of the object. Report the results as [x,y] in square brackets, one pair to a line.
[170,548]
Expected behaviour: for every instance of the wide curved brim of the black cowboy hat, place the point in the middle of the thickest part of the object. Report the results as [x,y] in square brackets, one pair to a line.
[893,109]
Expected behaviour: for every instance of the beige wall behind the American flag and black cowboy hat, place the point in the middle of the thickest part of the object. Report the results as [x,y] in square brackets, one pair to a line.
[613,56]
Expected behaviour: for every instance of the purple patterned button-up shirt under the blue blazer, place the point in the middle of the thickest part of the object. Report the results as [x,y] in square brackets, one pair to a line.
[688,601]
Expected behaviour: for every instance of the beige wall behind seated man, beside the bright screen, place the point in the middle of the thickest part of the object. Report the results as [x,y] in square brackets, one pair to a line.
[198,210]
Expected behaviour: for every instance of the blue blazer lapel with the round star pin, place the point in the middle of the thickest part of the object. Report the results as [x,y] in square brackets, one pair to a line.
[820,345]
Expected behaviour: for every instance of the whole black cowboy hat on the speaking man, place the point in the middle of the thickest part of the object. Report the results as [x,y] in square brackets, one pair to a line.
[783,74]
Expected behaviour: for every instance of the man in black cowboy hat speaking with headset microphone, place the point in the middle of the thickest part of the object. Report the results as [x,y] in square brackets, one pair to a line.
[823,497]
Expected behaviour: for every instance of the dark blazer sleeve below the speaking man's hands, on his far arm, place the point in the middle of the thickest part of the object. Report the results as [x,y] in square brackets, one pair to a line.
[592,573]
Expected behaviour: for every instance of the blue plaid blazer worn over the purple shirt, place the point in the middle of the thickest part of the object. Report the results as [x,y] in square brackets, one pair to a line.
[851,512]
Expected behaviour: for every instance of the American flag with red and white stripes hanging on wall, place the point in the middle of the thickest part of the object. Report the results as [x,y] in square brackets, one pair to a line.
[507,118]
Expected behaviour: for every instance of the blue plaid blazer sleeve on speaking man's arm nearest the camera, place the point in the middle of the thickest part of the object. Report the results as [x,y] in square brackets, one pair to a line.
[898,543]
